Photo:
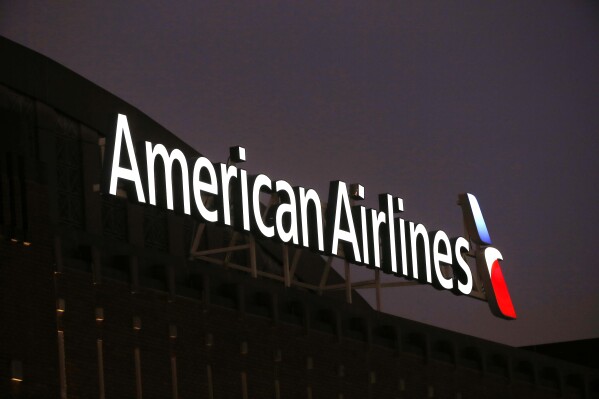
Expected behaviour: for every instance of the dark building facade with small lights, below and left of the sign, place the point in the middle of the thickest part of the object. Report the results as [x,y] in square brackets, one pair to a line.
[99,297]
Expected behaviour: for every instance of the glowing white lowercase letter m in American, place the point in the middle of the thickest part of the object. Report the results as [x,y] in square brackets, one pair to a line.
[176,154]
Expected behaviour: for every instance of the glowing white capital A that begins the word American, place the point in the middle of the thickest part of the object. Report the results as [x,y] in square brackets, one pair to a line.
[118,172]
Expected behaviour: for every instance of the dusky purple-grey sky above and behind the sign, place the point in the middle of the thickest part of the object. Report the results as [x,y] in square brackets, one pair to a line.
[423,100]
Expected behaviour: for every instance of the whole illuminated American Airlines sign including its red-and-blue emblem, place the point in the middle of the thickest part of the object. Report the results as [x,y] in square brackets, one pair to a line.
[373,238]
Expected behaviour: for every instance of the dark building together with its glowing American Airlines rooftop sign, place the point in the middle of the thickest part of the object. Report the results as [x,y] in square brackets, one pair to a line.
[105,294]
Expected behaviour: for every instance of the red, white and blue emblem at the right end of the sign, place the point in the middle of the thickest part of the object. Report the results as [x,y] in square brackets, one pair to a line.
[487,259]
